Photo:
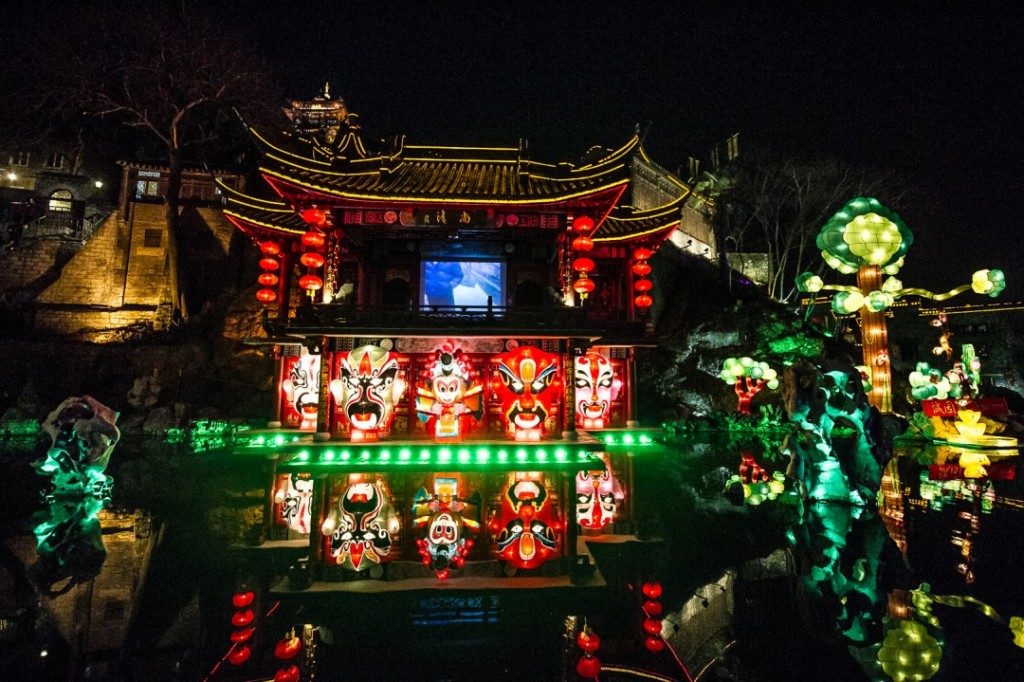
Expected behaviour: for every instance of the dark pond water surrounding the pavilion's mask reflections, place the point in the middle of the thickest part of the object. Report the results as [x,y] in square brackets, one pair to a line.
[815,588]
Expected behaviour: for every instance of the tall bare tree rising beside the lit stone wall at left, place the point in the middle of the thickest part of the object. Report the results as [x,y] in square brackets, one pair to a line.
[170,75]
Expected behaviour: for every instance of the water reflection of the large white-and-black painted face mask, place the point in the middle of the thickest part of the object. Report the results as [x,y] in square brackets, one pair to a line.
[361,529]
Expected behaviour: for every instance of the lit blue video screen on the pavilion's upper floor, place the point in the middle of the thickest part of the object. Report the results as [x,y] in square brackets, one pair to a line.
[463,283]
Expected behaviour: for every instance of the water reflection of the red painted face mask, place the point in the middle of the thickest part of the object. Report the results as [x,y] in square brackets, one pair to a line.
[527,536]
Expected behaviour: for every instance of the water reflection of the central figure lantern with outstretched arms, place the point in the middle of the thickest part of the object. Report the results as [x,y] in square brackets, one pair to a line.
[448,528]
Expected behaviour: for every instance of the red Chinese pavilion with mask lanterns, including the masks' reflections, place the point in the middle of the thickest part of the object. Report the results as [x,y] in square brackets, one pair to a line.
[454,332]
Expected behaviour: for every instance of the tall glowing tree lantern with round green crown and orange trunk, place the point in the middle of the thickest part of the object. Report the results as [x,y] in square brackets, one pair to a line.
[867,239]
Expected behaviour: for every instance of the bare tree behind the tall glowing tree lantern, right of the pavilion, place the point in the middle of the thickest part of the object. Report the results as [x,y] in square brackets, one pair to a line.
[780,205]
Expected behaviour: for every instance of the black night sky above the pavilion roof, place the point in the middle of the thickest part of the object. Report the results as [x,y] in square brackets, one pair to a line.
[932,90]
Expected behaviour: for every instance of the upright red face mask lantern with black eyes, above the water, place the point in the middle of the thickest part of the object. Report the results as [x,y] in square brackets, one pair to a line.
[524,382]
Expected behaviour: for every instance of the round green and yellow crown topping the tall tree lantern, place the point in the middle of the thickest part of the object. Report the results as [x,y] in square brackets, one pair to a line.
[865,233]
